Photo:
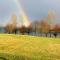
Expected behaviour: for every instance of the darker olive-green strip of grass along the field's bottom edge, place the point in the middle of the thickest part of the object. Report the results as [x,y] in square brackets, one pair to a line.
[4,56]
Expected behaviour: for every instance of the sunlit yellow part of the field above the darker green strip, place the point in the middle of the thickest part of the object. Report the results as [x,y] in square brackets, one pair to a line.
[28,45]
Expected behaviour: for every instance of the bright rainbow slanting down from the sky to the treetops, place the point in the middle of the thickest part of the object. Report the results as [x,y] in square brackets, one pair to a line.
[25,19]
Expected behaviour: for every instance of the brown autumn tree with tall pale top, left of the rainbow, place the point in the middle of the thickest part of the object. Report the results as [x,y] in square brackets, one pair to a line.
[11,28]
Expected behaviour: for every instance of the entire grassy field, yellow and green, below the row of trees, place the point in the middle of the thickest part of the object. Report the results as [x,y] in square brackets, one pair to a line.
[20,47]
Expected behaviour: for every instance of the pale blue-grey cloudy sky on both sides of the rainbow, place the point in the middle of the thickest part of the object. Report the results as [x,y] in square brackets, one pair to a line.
[35,9]
